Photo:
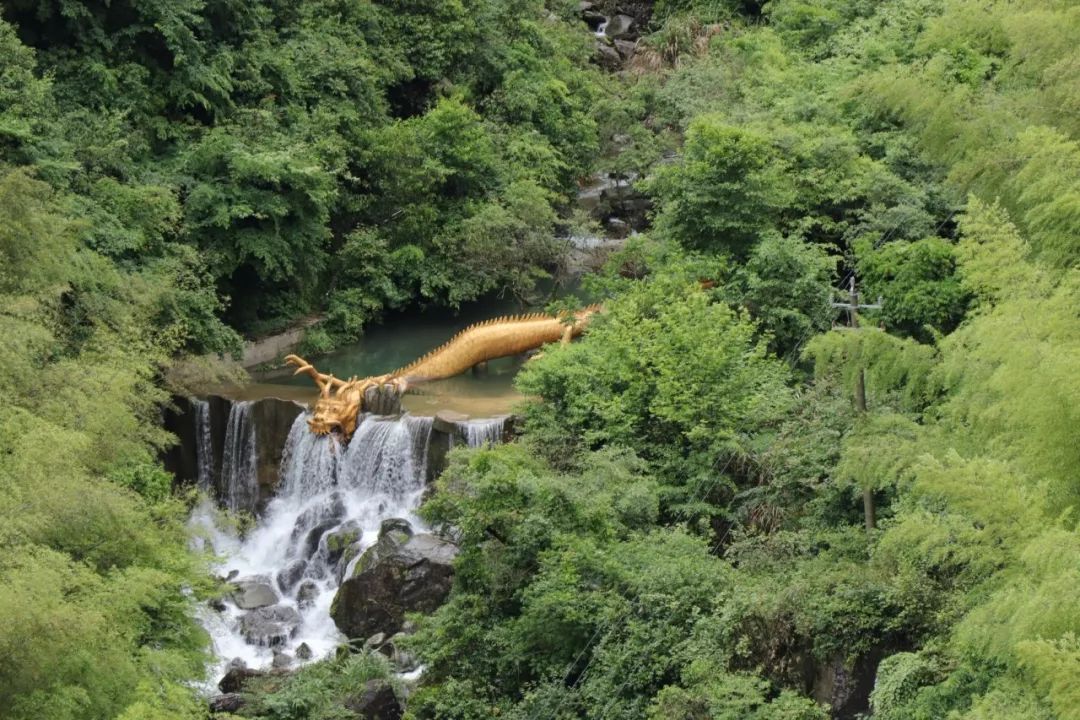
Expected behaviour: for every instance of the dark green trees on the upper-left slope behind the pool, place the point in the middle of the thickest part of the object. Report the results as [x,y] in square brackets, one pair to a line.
[333,158]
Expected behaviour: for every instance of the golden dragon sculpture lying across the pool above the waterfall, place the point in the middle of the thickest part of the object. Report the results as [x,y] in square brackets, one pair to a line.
[341,402]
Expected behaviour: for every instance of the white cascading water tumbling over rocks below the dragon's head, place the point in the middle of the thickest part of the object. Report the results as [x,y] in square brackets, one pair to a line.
[327,491]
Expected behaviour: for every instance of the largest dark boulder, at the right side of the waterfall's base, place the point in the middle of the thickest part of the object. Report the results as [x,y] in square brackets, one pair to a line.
[399,575]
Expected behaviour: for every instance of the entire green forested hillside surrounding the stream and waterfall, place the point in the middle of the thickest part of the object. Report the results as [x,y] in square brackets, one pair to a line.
[701,519]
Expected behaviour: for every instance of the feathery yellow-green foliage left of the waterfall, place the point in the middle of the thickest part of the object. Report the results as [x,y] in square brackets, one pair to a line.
[94,551]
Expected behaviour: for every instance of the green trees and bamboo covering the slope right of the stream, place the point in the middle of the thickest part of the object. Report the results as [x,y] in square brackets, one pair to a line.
[680,533]
